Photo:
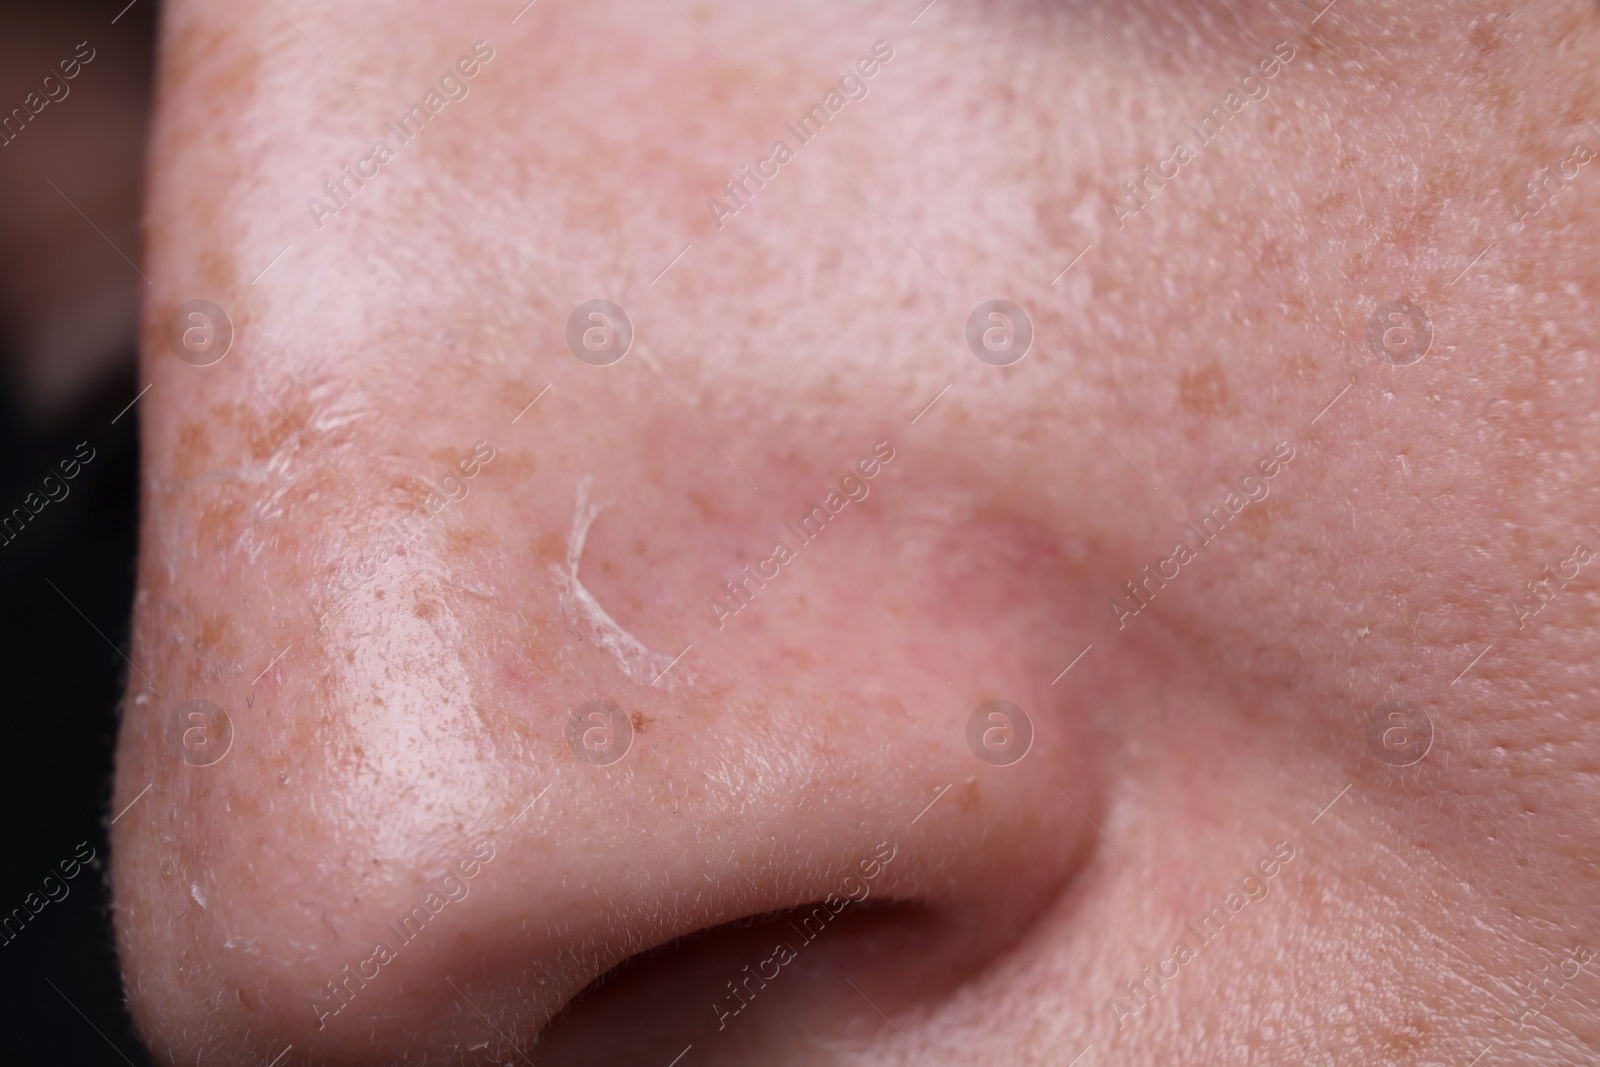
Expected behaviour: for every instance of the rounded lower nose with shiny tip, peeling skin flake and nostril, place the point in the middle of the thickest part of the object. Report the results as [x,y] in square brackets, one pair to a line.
[486,820]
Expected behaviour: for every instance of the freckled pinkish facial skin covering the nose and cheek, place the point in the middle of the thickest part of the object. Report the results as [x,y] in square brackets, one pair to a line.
[1225,730]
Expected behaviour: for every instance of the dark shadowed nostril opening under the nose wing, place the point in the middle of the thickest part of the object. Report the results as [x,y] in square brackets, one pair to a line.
[753,988]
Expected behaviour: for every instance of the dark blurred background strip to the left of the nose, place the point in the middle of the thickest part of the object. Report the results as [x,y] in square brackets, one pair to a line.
[70,226]
